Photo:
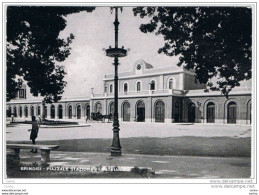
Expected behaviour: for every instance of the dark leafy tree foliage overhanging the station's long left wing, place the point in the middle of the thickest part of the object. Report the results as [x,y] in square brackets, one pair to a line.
[34,49]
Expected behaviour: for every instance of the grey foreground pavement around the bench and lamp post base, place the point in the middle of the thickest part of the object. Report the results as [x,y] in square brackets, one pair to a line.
[174,167]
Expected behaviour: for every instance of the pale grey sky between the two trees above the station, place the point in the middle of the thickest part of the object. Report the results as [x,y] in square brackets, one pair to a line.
[87,64]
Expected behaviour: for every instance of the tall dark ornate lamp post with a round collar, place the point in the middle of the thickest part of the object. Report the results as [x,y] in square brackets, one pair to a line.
[116,53]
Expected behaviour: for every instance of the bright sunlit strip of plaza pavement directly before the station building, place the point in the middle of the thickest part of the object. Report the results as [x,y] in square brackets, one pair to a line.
[131,129]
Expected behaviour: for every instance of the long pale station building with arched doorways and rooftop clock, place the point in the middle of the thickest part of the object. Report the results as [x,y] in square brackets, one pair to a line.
[147,94]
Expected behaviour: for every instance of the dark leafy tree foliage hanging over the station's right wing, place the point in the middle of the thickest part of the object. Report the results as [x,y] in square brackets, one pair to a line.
[214,41]
